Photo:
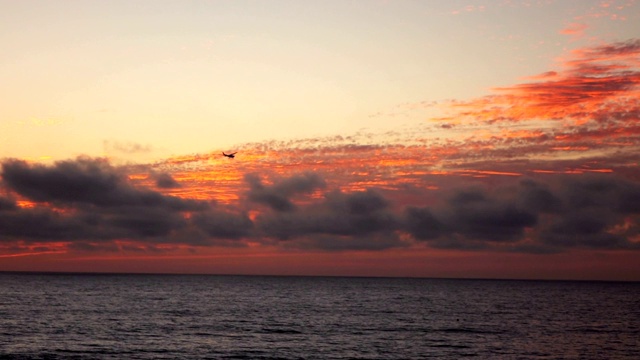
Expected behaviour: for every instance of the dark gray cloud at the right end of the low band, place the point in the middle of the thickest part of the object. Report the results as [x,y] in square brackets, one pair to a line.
[591,211]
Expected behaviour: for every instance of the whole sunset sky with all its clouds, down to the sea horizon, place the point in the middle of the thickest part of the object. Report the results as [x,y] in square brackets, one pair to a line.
[462,139]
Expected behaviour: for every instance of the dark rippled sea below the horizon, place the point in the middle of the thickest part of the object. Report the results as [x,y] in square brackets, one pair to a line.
[81,316]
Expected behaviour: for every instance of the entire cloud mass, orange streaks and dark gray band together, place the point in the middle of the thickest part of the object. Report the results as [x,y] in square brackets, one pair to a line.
[544,166]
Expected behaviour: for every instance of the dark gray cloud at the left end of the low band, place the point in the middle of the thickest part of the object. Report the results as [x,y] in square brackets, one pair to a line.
[89,202]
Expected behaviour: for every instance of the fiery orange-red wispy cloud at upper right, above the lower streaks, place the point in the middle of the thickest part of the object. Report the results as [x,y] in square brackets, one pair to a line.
[594,81]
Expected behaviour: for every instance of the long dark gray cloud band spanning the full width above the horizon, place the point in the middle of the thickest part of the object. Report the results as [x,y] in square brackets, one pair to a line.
[89,203]
